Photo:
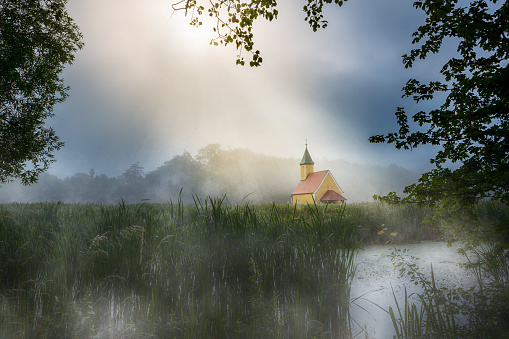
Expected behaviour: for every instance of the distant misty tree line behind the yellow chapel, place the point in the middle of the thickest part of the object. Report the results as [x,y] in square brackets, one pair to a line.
[214,171]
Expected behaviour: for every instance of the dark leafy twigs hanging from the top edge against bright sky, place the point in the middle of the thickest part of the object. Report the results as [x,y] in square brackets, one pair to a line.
[234,20]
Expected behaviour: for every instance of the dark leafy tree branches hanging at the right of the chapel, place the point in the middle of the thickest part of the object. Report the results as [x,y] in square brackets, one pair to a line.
[471,126]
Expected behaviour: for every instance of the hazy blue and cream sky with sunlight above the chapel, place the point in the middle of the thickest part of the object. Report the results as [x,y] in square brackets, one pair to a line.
[147,86]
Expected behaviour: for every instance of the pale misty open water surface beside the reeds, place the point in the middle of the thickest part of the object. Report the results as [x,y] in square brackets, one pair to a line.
[376,278]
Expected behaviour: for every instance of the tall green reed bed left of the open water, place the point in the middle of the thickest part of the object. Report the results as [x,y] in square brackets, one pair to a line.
[210,270]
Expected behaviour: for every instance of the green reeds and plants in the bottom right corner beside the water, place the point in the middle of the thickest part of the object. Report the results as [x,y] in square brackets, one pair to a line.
[444,312]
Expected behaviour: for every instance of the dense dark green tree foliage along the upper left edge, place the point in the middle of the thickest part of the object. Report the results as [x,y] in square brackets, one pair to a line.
[37,39]
